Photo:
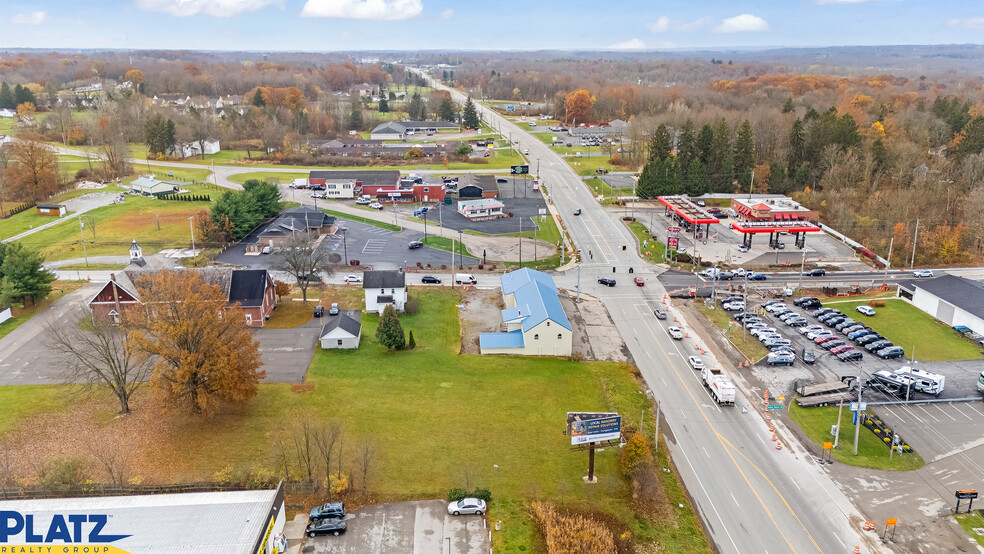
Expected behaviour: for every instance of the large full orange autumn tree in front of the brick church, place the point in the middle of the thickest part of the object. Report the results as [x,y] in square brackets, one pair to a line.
[206,355]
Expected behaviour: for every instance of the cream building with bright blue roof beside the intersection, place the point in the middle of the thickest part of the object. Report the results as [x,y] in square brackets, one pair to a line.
[534,318]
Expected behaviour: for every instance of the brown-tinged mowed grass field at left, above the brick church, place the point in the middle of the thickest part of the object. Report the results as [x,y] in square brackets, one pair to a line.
[117,225]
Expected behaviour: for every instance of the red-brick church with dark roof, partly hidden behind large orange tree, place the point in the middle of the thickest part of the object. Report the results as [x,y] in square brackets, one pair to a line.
[252,289]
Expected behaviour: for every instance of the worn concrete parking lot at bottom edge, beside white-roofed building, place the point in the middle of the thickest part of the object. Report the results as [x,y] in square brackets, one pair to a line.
[406,527]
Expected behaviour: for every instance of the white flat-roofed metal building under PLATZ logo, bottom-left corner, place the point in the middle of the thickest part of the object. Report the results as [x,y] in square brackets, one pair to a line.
[247,522]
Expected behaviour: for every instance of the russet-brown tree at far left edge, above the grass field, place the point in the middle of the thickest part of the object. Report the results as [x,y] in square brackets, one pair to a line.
[33,171]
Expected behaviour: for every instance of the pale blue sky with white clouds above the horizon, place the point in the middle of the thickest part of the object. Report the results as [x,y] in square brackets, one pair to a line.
[326,25]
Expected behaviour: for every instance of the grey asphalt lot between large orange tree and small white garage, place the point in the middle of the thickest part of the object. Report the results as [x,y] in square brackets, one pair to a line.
[287,353]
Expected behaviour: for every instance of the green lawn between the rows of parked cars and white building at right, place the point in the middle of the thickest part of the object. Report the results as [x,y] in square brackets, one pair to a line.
[911,328]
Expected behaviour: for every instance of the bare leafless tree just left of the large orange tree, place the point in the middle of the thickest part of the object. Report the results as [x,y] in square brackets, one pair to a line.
[99,354]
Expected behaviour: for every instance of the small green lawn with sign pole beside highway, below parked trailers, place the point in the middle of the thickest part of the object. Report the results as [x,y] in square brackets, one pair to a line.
[872,452]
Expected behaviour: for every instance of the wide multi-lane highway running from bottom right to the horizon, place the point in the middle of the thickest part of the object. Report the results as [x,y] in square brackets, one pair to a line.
[751,497]
